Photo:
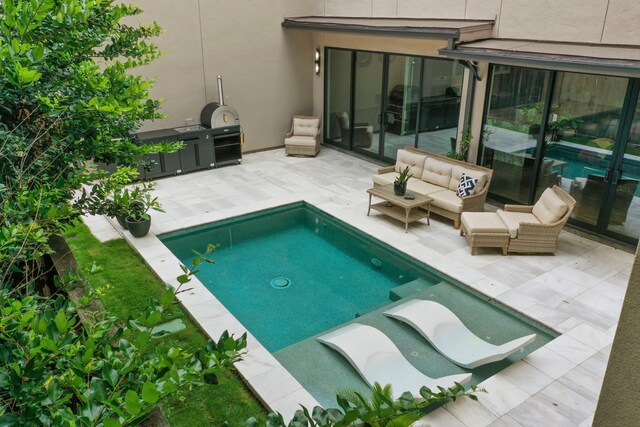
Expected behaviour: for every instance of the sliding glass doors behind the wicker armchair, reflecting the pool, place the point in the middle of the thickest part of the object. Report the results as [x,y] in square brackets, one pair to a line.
[577,131]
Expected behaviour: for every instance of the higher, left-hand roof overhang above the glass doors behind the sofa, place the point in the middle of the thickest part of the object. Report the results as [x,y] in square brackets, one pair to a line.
[461,30]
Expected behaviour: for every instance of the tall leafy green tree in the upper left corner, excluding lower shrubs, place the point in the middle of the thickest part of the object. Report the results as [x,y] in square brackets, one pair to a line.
[67,96]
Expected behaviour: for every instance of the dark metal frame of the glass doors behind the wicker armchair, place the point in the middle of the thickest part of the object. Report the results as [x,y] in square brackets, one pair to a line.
[614,171]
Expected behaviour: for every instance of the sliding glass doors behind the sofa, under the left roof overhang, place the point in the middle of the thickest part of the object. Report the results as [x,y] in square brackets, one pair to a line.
[377,103]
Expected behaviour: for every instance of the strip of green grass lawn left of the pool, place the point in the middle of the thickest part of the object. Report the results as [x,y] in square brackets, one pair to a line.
[125,284]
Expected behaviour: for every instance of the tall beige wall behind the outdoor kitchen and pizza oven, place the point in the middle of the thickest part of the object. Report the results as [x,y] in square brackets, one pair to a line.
[267,71]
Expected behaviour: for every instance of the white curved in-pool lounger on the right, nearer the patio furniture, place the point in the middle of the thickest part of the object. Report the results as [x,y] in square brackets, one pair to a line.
[446,332]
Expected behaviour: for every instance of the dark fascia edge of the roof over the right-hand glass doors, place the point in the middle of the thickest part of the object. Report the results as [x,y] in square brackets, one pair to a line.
[551,61]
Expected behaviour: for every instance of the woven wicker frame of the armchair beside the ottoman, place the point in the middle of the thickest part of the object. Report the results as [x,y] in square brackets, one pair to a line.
[536,237]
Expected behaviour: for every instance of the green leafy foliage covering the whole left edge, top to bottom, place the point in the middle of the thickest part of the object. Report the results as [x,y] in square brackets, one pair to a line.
[68,96]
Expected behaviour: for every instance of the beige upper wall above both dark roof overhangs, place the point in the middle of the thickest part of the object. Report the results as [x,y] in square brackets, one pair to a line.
[592,21]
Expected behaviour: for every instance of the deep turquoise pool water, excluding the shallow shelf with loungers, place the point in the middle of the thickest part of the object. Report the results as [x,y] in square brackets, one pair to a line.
[329,272]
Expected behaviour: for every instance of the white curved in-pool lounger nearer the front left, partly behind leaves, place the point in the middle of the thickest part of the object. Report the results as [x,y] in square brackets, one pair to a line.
[377,359]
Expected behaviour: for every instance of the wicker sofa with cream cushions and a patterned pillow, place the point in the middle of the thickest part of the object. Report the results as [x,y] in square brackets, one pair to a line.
[438,177]
